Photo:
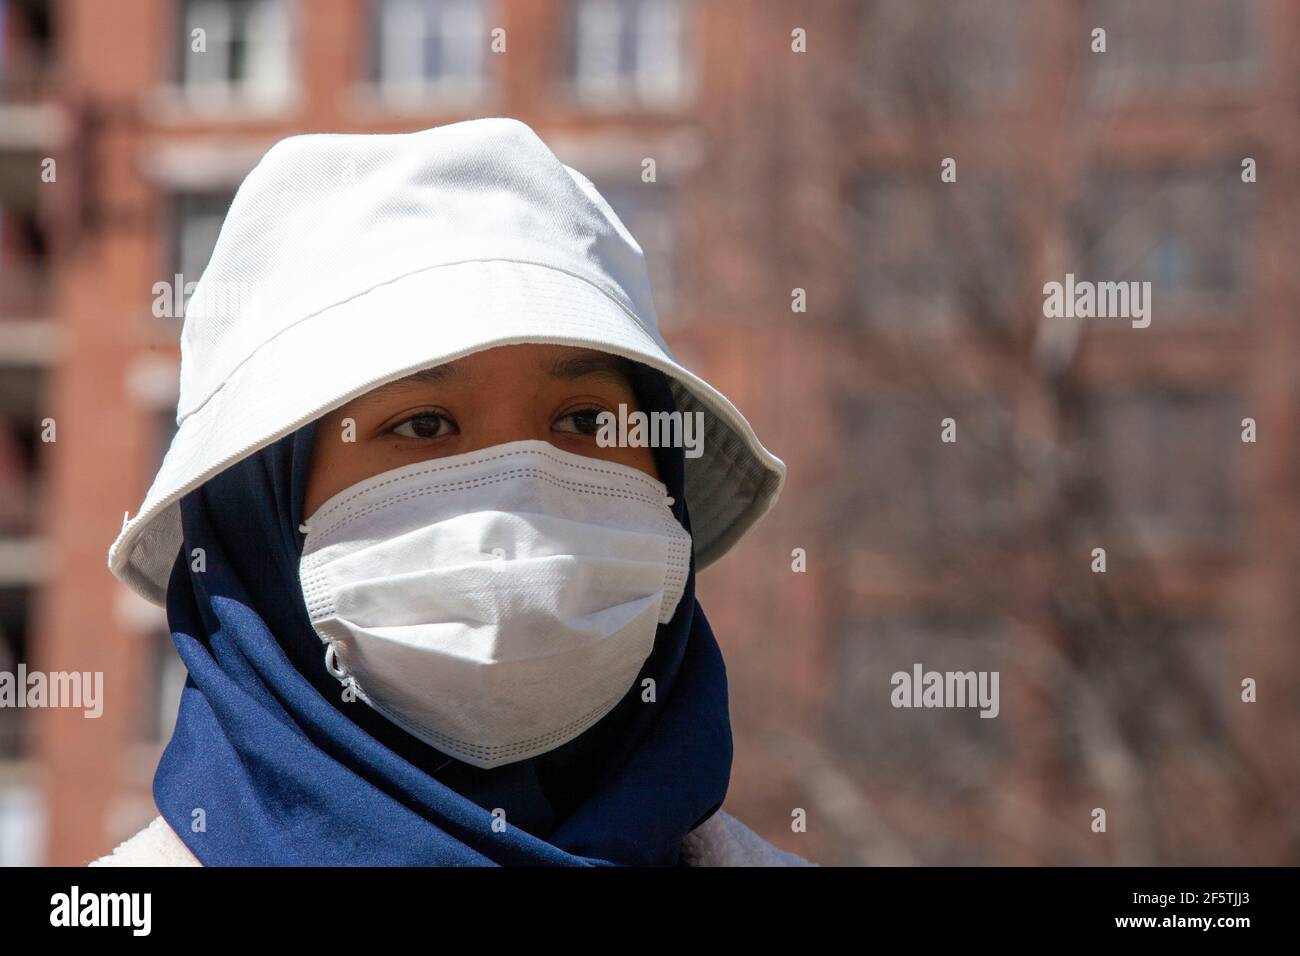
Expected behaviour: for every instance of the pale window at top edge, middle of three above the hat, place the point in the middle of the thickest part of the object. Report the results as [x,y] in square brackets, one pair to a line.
[430,50]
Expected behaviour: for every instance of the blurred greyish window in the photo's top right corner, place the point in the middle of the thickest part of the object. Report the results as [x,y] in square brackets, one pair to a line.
[1172,44]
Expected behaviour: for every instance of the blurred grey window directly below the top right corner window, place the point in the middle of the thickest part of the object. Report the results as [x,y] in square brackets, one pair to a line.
[1184,231]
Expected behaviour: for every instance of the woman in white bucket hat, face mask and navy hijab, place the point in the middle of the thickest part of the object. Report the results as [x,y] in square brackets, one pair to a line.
[435,611]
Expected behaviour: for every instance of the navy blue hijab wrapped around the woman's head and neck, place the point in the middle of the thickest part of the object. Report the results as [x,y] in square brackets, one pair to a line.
[270,767]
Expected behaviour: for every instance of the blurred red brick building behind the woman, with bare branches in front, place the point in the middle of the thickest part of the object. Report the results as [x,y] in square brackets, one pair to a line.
[775,171]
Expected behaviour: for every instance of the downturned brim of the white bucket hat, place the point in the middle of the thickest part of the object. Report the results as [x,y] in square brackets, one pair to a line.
[327,360]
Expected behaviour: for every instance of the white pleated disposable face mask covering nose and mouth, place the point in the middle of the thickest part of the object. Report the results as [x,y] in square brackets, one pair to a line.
[495,604]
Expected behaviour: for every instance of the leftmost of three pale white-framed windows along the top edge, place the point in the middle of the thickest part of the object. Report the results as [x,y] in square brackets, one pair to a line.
[235,53]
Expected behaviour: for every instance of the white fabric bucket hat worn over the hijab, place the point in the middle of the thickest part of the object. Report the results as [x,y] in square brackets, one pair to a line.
[348,261]
